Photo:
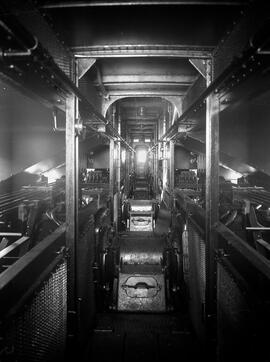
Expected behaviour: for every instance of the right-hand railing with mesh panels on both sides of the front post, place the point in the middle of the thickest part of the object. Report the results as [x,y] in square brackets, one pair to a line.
[242,288]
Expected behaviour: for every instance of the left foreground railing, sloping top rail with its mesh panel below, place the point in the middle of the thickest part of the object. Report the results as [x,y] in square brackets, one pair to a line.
[33,295]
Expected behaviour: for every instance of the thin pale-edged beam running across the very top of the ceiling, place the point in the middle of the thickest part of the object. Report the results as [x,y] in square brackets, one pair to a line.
[82,4]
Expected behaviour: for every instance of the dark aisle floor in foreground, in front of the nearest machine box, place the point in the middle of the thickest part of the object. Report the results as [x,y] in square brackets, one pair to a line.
[143,338]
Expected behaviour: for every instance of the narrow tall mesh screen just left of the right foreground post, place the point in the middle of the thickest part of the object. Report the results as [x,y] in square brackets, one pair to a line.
[196,251]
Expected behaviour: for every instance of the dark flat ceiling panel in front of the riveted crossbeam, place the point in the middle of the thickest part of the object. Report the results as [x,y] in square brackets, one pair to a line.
[200,25]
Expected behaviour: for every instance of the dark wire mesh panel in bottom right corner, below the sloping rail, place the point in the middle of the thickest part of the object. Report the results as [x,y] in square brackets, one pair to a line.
[238,325]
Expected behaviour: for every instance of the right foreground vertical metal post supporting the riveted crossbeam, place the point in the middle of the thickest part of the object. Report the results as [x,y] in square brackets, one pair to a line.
[212,201]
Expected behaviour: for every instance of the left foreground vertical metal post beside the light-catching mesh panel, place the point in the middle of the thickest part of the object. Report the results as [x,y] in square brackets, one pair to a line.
[71,216]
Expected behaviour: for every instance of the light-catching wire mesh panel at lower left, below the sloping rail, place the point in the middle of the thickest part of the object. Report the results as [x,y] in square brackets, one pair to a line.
[38,331]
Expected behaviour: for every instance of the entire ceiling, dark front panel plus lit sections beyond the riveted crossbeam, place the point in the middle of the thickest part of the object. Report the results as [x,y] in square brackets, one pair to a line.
[99,25]
